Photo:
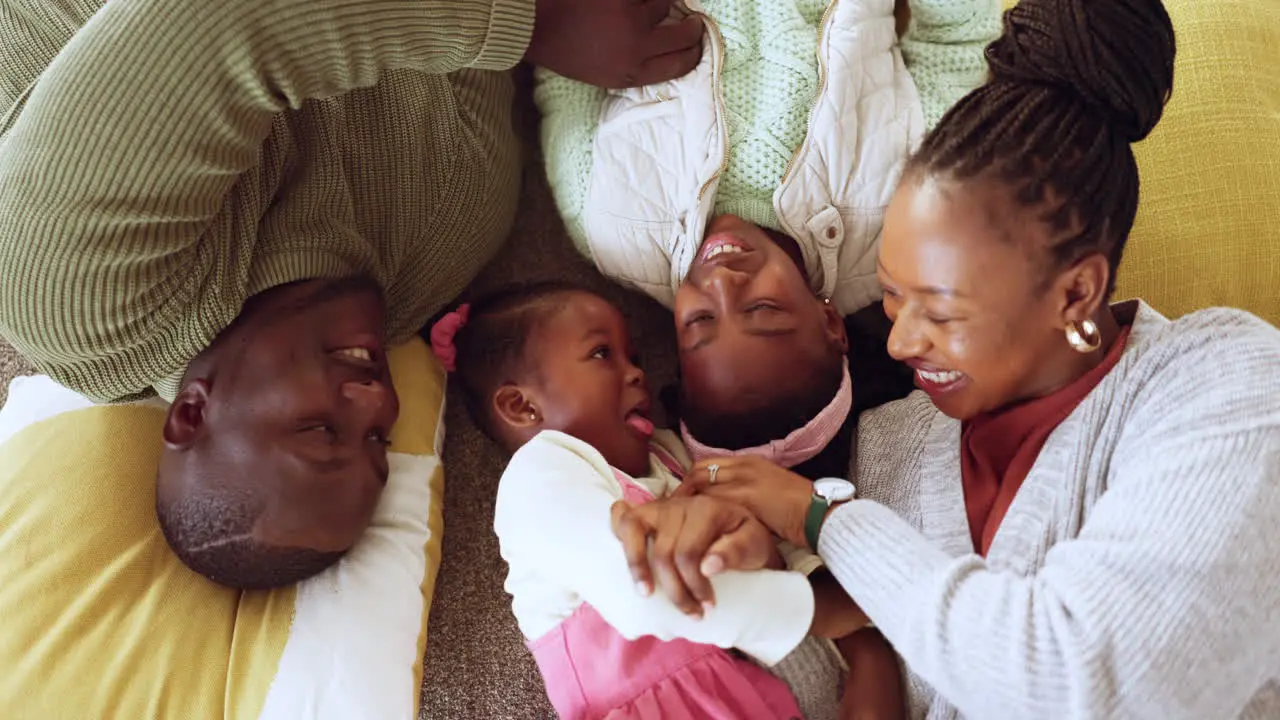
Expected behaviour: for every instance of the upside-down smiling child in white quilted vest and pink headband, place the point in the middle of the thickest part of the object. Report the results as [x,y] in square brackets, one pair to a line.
[749,197]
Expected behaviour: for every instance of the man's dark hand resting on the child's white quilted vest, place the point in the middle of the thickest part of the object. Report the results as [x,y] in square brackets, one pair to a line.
[614,43]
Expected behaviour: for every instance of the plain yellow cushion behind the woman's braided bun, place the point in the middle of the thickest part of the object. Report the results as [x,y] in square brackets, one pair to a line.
[1209,222]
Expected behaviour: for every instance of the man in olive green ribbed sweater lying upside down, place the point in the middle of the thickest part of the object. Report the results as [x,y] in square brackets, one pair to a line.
[191,204]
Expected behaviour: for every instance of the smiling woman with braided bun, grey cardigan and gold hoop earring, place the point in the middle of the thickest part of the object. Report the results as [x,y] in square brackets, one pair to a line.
[1077,517]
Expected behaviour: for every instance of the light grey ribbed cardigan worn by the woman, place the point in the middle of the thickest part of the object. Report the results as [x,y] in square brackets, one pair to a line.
[1136,573]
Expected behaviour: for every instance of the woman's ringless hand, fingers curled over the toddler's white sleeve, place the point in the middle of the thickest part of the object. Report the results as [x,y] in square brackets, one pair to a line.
[693,540]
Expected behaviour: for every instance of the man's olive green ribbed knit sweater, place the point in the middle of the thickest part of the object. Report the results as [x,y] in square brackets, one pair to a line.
[163,161]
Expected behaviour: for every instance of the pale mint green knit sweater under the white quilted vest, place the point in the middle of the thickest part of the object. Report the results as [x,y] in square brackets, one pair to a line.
[770,83]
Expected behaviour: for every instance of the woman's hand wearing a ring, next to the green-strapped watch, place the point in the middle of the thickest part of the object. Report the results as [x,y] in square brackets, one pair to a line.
[774,495]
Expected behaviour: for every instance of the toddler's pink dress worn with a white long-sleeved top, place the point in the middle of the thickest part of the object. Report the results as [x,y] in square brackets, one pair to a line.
[592,672]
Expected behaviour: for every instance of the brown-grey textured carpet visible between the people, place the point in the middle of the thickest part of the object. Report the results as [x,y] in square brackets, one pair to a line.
[477,663]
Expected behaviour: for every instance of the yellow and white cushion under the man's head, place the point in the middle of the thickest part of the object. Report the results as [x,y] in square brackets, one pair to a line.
[102,621]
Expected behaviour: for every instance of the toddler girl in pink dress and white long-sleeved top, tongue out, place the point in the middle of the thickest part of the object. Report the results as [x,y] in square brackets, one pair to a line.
[547,372]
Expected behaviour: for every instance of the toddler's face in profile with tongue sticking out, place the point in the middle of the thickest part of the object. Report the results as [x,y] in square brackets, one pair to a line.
[588,385]
